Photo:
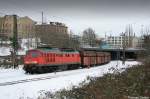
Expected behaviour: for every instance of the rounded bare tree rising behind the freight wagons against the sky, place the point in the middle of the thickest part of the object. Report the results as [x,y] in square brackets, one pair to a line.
[89,37]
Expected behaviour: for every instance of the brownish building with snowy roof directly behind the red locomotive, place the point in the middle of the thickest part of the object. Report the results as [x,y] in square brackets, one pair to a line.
[54,34]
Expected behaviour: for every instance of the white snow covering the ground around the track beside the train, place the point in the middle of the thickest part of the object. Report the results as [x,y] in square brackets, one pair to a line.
[64,79]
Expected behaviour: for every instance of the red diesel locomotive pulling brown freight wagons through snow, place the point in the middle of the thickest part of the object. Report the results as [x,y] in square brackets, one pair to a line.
[42,60]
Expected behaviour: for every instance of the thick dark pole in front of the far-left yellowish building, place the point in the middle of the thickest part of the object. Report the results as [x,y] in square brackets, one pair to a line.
[14,42]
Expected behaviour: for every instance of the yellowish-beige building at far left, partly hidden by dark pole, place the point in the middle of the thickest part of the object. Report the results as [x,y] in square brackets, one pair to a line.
[26,26]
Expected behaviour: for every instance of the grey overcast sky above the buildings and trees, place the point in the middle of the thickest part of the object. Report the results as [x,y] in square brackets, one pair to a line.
[104,16]
